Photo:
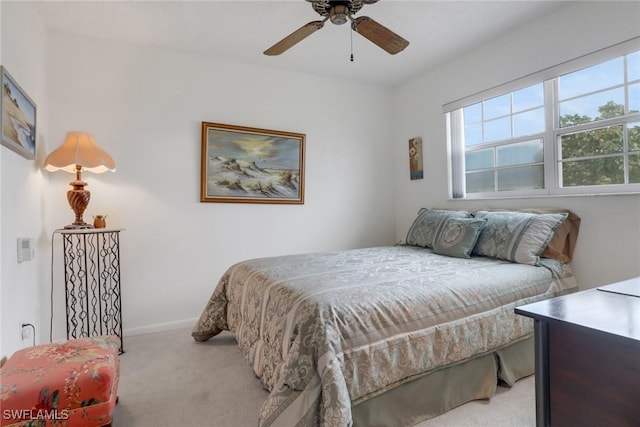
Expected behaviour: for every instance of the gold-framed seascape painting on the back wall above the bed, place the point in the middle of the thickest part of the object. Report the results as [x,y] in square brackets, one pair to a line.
[249,165]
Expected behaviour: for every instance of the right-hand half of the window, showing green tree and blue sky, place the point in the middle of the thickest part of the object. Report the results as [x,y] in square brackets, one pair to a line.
[598,124]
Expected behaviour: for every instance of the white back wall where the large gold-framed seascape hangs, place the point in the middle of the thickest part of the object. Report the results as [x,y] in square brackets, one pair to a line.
[145,106]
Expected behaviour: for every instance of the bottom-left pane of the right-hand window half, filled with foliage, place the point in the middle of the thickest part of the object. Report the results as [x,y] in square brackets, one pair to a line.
[609,170]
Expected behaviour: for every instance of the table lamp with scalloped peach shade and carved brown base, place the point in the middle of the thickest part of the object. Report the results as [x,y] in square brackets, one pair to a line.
[79,152]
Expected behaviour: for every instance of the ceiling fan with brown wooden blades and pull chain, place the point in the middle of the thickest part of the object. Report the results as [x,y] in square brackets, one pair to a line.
[339,12]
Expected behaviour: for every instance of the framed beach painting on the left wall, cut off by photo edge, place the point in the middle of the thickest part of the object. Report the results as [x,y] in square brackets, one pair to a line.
[18,127]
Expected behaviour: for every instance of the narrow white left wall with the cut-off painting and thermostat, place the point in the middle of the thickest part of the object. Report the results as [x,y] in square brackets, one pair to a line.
[23,286]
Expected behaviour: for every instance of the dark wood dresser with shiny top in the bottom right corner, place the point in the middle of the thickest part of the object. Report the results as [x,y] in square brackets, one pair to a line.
[587,348]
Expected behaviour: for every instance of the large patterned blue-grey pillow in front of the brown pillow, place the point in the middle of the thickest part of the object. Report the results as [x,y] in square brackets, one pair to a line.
[516,236]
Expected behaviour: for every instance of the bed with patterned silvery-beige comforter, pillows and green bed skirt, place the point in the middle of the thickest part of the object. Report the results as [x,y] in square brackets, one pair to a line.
[396,334]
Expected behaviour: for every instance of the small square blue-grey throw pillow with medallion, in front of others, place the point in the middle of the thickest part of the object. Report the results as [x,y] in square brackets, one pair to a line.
[458,236]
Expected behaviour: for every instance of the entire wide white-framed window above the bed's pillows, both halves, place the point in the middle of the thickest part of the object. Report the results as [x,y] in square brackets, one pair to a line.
[574,129]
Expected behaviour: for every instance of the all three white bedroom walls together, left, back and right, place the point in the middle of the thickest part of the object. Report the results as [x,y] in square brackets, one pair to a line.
[145,106]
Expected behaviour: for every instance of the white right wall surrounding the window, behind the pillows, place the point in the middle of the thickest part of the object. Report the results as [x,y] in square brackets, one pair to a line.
[608,246]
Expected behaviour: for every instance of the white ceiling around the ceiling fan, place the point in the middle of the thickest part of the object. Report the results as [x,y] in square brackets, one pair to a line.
[241,30]
